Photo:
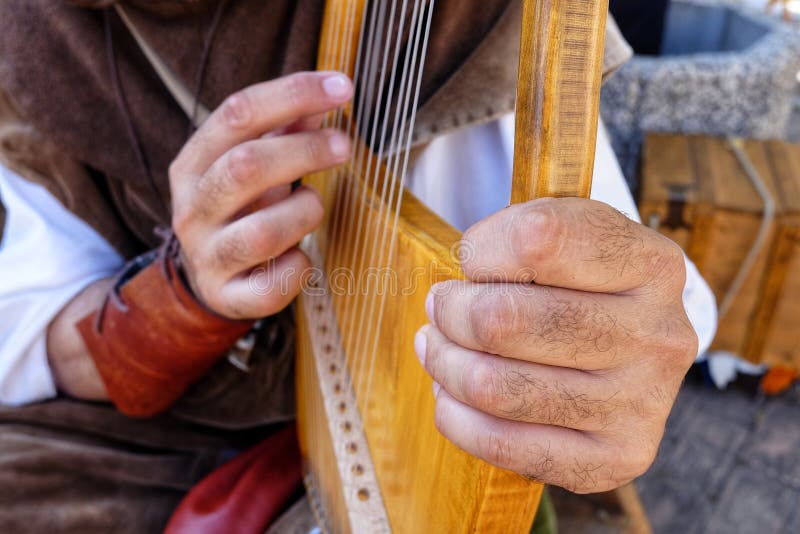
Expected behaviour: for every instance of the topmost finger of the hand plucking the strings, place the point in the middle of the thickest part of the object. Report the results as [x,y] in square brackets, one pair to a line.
[259,109]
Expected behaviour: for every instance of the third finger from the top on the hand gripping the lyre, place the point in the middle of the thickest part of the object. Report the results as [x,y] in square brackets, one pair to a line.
[522,391]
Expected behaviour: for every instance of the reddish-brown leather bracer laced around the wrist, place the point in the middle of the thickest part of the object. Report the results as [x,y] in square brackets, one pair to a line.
[152,339]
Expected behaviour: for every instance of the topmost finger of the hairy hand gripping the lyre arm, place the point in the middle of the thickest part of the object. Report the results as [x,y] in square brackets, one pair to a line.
[570,243]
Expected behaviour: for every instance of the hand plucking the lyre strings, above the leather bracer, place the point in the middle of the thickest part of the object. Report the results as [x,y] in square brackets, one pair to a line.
[233,209]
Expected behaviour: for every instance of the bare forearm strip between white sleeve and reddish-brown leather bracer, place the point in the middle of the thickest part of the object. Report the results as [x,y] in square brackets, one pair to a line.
[73,369]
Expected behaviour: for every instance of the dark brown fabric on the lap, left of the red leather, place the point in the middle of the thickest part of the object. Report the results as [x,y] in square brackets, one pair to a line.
[73,467]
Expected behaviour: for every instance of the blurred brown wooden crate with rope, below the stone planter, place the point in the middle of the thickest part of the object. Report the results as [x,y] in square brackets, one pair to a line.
[696,191]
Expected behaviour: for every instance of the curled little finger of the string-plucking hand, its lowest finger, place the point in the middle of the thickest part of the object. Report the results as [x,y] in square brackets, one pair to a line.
[267,290]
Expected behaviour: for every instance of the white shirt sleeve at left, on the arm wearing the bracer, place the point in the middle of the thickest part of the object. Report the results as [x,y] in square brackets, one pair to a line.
[47,256]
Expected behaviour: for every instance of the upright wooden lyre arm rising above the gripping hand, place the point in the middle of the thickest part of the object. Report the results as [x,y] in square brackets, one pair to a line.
[558,97]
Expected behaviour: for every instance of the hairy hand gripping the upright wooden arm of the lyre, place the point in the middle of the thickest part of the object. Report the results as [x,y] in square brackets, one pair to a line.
[562,355]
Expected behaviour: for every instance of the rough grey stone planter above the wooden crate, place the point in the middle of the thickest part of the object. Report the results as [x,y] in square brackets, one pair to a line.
[726,70]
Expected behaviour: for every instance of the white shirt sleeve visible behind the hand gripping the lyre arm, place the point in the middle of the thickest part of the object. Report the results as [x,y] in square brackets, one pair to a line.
[465,176]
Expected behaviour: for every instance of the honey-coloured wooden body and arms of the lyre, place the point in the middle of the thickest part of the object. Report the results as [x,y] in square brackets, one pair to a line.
[427,483]
